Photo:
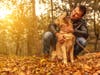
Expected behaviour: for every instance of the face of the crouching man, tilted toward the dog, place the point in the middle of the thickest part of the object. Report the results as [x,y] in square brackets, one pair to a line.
[76,14]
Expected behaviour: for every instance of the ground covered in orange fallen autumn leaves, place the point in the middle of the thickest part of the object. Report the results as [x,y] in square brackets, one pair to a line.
[87,64]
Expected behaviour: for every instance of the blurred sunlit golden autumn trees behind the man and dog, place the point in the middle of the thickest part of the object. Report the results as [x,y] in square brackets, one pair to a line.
[23,22]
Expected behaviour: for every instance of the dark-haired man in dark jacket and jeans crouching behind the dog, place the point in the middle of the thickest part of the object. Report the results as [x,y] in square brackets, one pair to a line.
[80,31]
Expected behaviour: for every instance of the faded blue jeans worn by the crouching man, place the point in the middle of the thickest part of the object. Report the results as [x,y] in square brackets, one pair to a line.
[49,41]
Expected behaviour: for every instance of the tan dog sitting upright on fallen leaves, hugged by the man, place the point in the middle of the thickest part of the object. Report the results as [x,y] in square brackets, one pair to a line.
[65,50]
